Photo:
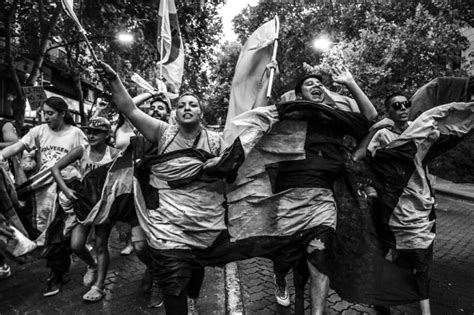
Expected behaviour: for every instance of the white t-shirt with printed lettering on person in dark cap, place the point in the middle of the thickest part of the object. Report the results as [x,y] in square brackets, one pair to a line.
[53,145]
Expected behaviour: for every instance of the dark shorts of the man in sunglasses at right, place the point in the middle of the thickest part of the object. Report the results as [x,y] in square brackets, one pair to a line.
[418,260]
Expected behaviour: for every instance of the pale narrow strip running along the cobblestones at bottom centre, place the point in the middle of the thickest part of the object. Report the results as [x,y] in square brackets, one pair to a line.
[233,291]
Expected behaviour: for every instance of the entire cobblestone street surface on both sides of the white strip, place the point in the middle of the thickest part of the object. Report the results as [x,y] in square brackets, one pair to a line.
[452,285]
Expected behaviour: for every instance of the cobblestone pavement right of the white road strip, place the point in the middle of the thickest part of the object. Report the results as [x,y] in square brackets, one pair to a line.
[452,287]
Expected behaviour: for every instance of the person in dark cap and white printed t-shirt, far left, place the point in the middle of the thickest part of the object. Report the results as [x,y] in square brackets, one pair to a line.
[54,139]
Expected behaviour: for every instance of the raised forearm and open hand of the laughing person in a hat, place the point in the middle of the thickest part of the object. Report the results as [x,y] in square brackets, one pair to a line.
[366,107]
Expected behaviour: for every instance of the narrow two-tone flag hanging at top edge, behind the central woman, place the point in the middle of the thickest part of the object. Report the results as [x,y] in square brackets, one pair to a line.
[170,45]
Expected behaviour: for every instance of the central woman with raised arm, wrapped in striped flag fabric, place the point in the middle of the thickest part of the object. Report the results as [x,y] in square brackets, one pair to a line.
[186,218]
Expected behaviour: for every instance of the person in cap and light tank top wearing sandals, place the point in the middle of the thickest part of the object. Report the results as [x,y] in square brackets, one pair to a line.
[90,157]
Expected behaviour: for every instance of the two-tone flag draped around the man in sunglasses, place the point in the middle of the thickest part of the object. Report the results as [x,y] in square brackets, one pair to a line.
[401,166]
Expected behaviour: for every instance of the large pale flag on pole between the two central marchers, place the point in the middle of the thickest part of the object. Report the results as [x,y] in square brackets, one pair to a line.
[250,80]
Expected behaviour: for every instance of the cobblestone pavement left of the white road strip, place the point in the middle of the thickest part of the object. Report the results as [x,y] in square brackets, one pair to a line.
[22,293]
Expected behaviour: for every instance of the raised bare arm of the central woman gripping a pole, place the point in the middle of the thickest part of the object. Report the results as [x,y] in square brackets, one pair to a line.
[148,126]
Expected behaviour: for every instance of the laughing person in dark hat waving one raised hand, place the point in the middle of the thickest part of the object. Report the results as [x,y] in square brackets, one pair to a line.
[317,174]
